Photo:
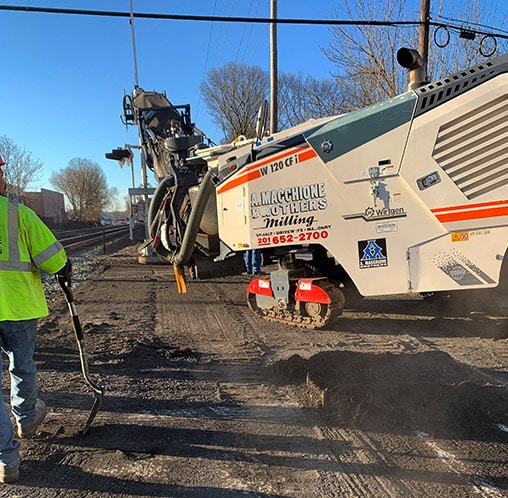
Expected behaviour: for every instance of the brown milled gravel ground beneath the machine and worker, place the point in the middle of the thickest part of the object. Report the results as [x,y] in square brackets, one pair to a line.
[204,399]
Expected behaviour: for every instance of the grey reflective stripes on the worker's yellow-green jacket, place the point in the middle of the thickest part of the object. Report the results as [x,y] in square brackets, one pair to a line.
[14,263]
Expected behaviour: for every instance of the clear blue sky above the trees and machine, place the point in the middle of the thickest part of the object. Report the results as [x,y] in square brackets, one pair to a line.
[64,76]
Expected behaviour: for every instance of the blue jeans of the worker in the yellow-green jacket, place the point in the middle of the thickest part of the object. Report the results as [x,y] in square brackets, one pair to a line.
[17,341]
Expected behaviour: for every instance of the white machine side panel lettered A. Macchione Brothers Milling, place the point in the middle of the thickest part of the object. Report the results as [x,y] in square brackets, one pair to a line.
[294,199]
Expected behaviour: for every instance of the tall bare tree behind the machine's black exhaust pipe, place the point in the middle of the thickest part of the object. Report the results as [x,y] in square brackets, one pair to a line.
[365,55]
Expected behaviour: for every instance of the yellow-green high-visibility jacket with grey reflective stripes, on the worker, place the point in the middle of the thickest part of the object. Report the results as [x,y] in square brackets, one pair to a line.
[27,246]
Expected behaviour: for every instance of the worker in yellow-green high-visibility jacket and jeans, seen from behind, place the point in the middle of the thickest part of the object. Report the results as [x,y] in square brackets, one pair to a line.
[27,246]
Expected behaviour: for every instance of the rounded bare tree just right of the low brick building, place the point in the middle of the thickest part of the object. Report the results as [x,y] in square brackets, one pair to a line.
[84,184]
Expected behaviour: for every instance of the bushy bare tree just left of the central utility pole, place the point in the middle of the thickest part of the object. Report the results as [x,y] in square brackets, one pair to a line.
[233,94]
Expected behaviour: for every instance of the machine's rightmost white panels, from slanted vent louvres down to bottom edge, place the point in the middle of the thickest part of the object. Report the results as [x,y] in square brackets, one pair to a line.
[456,162]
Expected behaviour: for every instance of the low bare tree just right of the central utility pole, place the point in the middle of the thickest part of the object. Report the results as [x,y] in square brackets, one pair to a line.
[305,97]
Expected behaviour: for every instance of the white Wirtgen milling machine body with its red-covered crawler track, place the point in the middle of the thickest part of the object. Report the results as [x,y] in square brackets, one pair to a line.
[406,196]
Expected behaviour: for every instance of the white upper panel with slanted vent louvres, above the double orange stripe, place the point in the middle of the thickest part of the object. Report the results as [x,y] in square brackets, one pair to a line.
[457,154]
